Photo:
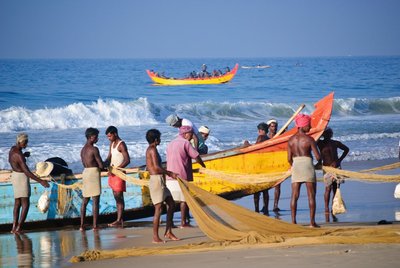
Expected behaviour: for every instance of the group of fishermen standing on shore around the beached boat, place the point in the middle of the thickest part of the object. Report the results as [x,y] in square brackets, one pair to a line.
[163,184]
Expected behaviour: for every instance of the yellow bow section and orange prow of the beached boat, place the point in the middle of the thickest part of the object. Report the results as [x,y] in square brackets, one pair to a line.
[241,171]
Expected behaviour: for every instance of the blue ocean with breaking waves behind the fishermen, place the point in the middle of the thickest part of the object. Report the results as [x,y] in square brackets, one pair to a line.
[54,101]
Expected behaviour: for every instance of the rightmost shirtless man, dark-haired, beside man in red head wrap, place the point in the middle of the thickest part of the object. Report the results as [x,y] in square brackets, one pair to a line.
[329,157]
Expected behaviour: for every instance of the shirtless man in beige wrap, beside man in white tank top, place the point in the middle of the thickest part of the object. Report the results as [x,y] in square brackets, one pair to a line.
[91,179]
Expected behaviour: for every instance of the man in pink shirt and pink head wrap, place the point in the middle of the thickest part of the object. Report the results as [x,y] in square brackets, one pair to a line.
[179,160]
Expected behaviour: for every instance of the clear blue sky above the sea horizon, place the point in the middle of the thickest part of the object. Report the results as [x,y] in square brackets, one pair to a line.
[49,29]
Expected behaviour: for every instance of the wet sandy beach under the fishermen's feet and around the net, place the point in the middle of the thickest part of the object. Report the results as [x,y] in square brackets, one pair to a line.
[367,203]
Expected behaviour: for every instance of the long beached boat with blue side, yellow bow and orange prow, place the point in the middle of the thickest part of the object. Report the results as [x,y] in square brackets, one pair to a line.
[231,173]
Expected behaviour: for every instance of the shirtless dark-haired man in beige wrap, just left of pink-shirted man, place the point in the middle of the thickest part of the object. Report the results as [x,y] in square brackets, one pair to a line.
[158,190]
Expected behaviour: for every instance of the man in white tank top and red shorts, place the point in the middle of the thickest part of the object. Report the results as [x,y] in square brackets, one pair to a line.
[118,156]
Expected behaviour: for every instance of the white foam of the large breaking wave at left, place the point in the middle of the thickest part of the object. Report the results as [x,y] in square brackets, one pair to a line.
[78,115]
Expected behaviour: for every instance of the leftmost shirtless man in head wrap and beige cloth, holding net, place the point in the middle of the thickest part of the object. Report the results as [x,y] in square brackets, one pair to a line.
[20,181]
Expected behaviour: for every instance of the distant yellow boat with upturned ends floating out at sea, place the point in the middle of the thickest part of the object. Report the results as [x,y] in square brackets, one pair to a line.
[193,81]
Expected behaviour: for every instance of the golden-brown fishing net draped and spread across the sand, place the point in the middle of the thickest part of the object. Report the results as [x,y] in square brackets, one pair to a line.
[232,226]
